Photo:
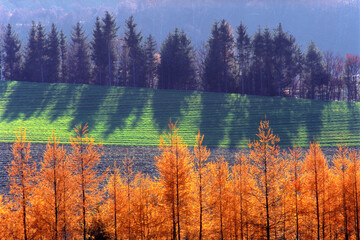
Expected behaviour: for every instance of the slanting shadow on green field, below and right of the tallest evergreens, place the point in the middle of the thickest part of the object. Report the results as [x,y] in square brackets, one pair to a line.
[126,102]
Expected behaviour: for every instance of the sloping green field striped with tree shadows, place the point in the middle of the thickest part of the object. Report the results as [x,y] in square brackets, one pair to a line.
[131,116]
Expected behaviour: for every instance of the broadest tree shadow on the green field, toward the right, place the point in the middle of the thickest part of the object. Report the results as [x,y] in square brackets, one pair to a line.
[286,117]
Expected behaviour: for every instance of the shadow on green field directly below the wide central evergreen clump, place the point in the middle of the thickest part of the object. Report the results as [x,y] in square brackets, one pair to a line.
[168,104]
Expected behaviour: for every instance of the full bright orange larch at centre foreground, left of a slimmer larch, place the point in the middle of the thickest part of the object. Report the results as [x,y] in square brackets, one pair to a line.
[174,166]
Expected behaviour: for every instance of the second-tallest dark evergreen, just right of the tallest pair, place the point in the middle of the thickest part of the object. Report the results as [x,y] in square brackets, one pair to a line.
[135,69]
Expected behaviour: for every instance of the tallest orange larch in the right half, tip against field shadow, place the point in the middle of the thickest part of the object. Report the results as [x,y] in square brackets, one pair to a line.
[266,170]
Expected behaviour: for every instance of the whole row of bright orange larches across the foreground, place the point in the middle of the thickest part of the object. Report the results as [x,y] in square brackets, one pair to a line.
[269,194]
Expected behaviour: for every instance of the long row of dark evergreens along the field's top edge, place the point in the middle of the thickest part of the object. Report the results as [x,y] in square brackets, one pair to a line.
[268,63]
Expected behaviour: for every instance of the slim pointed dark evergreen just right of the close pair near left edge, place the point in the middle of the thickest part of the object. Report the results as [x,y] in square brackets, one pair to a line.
[53,56]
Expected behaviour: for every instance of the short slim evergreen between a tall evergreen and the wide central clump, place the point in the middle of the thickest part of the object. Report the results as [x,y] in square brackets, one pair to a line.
[150,62]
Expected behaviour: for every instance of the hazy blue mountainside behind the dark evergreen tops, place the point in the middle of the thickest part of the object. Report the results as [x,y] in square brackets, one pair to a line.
[331,24]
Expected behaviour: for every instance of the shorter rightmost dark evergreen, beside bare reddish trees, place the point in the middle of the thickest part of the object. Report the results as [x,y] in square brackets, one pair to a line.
[314,70]
